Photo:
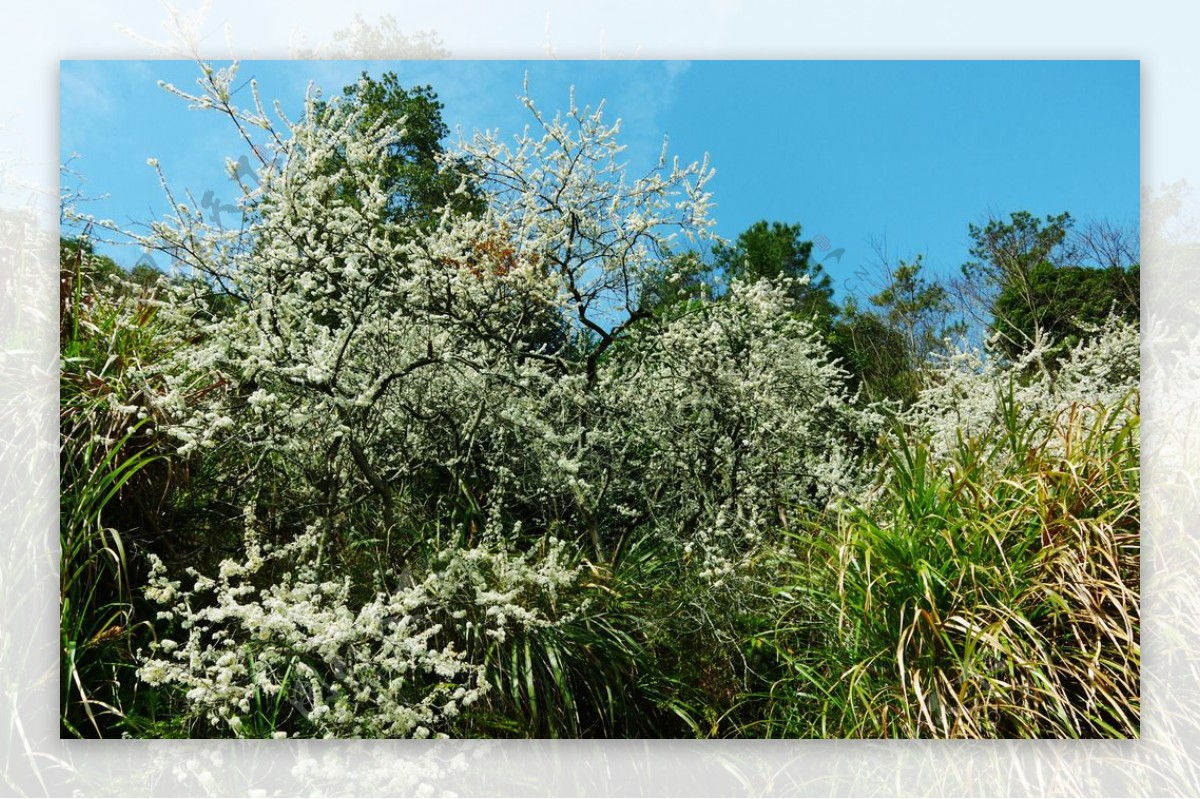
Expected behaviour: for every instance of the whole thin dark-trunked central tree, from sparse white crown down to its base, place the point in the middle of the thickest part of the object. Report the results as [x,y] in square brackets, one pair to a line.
[599,237]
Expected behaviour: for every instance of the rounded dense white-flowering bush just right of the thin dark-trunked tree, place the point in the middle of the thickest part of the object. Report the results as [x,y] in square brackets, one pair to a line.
[729,416]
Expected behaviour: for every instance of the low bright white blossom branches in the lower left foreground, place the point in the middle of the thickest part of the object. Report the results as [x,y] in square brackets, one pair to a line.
[398,666]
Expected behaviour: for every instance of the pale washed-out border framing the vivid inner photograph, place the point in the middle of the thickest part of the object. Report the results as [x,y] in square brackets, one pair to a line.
[34,761]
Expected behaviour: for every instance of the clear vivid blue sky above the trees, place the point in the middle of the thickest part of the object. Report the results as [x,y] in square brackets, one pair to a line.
[859,153]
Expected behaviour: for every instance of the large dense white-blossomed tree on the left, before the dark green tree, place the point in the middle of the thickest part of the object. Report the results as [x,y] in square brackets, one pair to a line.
[355,355]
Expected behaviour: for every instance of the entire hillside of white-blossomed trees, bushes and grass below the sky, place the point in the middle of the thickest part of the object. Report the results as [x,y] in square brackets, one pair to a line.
[500,442]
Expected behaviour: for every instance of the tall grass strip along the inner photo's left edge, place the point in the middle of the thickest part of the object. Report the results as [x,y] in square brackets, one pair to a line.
[107,450]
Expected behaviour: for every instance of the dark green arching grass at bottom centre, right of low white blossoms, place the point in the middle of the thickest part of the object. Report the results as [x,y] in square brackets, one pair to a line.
[626,666]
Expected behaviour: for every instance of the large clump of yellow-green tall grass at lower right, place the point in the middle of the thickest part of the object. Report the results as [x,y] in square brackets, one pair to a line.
[991,594]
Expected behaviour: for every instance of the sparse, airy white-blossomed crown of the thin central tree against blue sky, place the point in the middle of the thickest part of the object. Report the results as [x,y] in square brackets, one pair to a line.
[565,197]
